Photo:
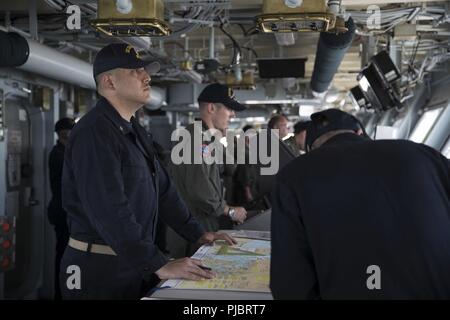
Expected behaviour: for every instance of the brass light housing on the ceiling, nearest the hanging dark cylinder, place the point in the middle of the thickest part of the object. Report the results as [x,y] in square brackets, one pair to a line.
[311,16]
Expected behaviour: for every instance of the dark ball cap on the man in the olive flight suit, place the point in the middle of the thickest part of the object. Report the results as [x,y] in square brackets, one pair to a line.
[219,93]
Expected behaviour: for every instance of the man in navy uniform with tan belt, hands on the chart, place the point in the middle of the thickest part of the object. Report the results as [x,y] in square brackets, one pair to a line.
[114,191]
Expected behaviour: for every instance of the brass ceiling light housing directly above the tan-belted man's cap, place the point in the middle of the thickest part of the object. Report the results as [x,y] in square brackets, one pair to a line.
[143,18]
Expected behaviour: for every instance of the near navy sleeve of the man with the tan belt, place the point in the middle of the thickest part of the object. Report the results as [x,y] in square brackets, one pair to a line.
[99,183]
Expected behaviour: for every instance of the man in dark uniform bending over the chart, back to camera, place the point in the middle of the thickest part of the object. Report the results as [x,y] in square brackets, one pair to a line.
[361,219]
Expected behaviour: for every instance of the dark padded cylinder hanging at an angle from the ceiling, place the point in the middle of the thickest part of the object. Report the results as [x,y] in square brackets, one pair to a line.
[331,49]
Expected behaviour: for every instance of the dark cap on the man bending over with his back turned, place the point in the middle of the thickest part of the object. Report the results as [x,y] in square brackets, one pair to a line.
[329,120]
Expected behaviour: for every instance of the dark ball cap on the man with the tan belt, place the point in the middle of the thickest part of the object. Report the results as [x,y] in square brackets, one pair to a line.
[121,55]
